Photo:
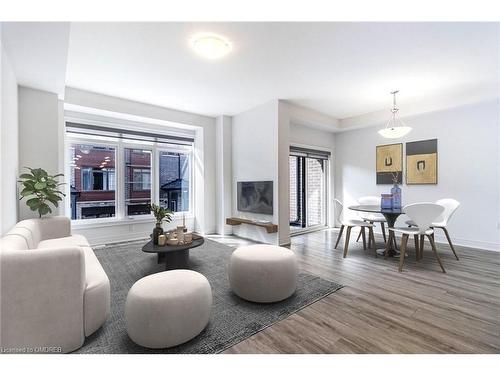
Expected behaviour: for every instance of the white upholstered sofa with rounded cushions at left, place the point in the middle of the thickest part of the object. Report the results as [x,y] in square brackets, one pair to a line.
[53,290]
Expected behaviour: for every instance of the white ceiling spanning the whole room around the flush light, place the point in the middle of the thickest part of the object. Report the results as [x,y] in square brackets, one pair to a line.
[343,70]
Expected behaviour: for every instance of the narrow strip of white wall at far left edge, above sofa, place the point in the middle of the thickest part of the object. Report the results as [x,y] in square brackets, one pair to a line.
[8,144]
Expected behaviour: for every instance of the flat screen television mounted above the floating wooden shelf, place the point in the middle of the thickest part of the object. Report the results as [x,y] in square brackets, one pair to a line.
[255,196]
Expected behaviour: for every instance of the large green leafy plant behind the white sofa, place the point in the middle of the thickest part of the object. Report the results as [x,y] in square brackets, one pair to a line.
[40,189]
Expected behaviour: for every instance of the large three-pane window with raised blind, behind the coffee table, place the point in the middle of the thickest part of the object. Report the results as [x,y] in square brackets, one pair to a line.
[118,174]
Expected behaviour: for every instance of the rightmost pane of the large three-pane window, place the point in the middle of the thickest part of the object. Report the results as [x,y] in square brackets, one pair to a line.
[174,176]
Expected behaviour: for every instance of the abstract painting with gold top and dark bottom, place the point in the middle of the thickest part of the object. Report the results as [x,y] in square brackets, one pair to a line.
[389,164]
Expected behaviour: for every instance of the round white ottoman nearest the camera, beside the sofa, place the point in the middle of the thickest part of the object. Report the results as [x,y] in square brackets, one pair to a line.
[168,308]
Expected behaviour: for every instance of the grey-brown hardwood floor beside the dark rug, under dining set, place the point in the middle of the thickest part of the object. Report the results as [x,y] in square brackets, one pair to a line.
[380,310]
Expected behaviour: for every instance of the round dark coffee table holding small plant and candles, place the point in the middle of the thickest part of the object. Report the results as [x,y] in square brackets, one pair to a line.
[174,256]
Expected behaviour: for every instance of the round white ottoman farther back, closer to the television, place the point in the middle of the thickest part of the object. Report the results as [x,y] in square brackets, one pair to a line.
[263,273]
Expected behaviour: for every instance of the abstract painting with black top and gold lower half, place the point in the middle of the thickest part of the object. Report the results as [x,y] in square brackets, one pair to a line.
[421,162]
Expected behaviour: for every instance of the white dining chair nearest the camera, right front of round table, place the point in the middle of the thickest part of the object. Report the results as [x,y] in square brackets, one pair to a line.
[423,215]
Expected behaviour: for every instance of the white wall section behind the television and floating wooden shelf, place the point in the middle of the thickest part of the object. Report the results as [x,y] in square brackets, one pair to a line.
[255,158]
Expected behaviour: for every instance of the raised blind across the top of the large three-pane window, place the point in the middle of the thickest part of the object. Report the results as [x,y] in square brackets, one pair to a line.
[128,134]
